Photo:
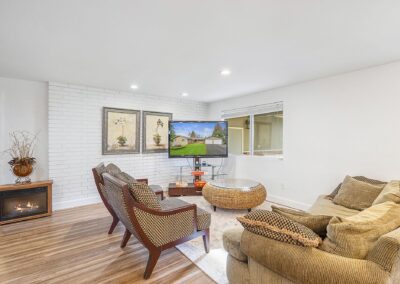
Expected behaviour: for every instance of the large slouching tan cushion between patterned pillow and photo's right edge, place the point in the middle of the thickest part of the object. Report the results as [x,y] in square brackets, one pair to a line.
[356,235]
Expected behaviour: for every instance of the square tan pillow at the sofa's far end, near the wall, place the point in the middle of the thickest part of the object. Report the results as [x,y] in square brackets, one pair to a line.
[357,194]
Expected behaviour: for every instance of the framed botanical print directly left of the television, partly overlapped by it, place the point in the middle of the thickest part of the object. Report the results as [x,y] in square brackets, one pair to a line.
[155,131]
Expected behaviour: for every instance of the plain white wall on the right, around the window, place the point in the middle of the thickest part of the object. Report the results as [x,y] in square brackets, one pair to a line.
[347,124]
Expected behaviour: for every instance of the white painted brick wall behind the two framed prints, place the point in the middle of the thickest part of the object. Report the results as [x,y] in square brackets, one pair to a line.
[75,135]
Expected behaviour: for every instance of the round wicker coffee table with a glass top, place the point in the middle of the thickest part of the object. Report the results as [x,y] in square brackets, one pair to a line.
[234,193]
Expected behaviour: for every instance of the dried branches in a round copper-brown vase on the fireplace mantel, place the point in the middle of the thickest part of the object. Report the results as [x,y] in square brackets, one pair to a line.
[21,151]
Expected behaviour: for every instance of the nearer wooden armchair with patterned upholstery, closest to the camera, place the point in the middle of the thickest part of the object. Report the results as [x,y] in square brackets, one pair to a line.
[157,230]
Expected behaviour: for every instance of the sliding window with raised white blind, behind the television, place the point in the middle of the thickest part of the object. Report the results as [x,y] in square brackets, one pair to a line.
[255,130]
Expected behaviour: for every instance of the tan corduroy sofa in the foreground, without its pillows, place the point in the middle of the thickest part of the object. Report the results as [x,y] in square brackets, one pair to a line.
[257,259]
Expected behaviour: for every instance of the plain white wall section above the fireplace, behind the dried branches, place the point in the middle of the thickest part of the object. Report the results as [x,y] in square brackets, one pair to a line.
[23,106]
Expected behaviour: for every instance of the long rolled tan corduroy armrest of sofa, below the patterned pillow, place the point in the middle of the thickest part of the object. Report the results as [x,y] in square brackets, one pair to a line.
[310,265]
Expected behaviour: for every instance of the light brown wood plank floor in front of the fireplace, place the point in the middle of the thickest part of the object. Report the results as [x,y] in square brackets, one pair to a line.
[73,246]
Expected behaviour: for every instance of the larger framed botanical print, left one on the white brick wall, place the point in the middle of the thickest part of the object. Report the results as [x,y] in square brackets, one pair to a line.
[121,131]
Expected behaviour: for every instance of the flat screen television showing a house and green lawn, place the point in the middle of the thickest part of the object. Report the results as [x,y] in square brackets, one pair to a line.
[198,139]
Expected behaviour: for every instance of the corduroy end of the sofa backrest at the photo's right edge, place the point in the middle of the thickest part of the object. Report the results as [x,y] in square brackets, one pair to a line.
[386,251]
